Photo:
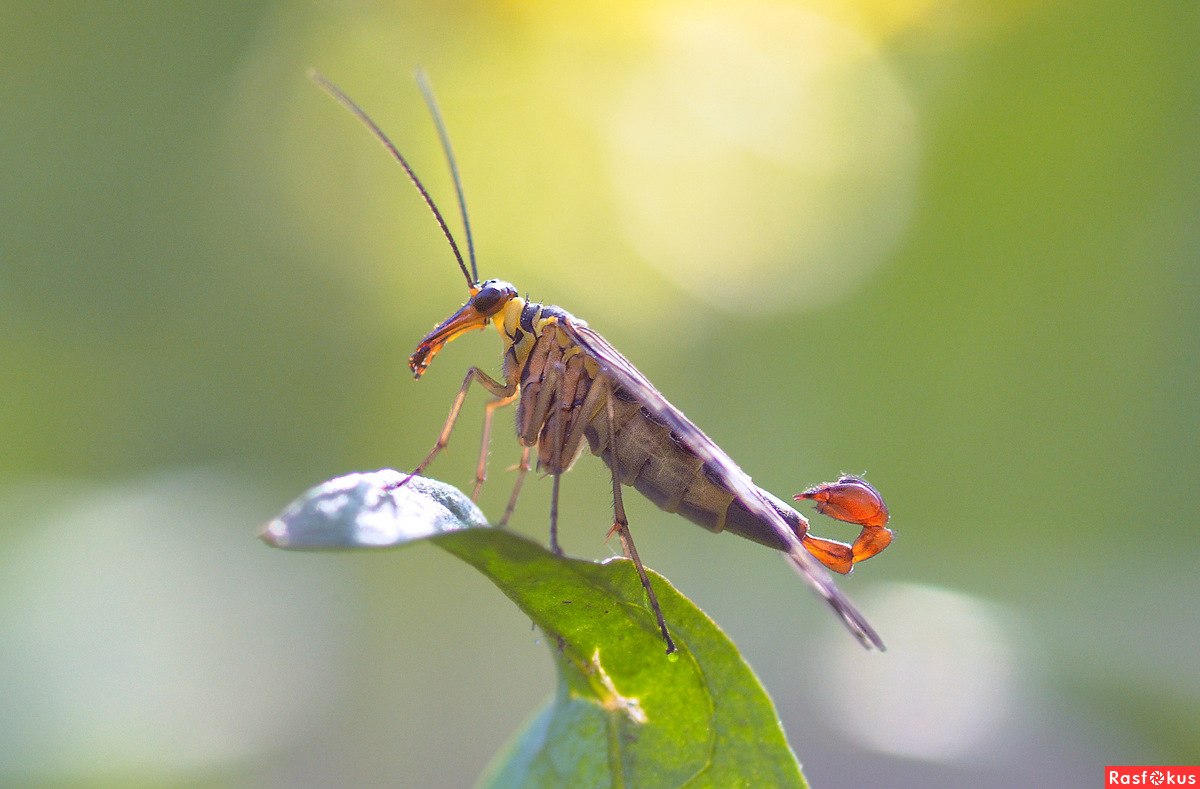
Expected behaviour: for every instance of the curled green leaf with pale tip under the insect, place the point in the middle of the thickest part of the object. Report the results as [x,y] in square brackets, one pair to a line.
[626,713]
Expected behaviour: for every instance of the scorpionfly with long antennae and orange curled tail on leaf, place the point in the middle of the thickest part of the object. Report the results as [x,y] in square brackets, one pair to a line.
[572,388]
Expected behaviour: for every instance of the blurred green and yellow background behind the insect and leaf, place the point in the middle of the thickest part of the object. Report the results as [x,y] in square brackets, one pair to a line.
[950,244]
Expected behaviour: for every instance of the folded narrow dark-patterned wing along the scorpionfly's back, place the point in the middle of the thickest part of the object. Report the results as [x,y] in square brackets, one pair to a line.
[723,467]
